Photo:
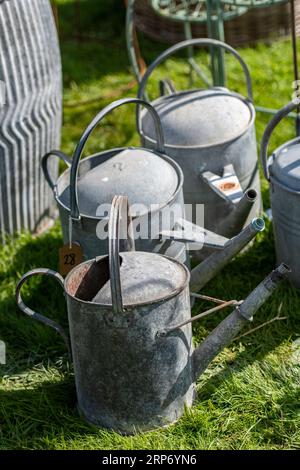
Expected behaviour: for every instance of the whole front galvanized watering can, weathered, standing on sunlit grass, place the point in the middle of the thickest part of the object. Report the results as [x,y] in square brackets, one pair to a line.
[131,338]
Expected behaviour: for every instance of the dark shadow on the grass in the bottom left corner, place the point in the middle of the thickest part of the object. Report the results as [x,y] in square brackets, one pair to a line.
[29,415]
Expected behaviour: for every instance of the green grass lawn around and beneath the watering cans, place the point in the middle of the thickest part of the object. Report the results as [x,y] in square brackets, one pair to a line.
[249,396]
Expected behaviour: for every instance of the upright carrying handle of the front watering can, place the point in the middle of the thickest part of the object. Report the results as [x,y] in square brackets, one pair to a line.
[119,214]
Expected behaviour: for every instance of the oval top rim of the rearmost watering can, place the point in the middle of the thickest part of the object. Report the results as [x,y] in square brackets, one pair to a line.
[217,92]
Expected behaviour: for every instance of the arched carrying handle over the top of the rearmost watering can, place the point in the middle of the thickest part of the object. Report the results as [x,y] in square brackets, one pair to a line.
[195,42]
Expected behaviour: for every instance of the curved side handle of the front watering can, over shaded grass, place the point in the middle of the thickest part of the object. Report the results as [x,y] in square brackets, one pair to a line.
[37,316]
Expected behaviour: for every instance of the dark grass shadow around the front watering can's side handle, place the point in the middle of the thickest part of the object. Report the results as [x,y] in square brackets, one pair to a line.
[28,341]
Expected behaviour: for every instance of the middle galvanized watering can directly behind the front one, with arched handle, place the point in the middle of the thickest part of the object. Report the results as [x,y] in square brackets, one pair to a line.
[151,180]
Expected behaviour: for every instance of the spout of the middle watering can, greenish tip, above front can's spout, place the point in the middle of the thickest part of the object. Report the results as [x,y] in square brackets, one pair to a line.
[206,270]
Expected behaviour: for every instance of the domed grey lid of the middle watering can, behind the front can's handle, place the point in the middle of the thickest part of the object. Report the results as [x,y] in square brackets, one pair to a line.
[142,175]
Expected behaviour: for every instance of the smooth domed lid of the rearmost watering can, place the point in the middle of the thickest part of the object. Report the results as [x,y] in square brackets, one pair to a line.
[199,118]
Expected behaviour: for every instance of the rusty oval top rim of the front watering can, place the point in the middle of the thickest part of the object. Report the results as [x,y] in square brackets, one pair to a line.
[130,306]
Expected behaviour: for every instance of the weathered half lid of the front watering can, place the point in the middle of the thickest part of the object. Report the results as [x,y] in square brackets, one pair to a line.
[146,278]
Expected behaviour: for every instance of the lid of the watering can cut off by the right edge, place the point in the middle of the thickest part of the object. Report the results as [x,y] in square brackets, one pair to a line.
[285,165]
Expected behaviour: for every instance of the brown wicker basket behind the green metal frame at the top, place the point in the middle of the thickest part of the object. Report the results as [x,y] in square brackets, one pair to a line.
[256,25]
